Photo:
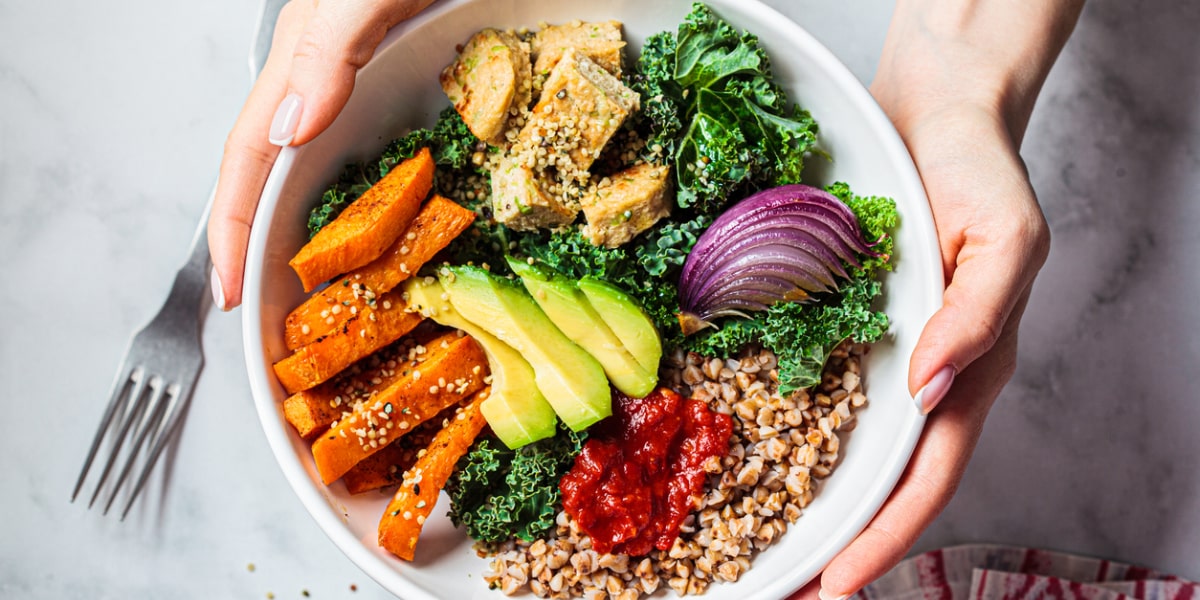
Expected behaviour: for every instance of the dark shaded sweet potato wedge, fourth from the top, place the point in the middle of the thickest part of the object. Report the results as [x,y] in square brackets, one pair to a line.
[311,412]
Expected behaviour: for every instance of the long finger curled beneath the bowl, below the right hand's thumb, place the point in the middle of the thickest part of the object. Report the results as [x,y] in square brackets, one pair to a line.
[933,475]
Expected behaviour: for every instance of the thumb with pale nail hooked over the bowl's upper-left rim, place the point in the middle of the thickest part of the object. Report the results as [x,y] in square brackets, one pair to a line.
[339,40]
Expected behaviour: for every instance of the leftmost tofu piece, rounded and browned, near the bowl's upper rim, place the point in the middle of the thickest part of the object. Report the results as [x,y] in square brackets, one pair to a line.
[491,76]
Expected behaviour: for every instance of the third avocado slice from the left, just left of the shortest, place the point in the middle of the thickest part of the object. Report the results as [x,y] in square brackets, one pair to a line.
[569,309]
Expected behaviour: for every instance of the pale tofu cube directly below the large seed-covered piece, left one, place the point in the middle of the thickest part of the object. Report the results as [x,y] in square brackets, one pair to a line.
[521,199]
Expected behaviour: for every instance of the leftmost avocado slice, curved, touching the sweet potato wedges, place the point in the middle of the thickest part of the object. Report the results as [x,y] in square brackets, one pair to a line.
[517,411]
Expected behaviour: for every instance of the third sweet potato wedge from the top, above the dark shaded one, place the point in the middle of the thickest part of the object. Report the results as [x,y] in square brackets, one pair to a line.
[358,338]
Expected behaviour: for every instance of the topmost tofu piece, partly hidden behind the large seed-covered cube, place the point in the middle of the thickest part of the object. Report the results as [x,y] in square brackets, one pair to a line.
[602,43]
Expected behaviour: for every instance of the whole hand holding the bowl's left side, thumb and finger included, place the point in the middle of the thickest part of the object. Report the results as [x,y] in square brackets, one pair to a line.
[317,50]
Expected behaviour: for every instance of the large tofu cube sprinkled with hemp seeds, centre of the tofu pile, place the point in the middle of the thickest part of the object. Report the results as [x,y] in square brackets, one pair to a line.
[580,109]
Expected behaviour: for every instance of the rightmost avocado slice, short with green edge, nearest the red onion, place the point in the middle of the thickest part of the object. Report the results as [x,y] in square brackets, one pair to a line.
[627,321]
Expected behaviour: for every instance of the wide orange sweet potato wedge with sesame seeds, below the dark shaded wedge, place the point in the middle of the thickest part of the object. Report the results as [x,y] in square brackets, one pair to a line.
[457,367]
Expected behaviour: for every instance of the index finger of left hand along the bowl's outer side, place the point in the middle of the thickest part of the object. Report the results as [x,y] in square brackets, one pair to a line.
[248,161]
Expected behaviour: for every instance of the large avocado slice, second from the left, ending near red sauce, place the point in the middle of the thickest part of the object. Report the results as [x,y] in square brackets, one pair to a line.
[571,380]
